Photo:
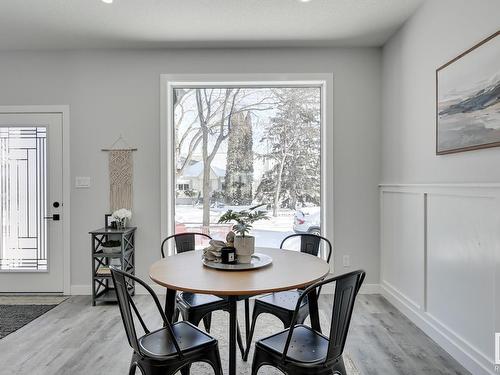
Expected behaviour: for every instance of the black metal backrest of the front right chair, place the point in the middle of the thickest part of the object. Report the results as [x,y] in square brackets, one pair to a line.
[346,289]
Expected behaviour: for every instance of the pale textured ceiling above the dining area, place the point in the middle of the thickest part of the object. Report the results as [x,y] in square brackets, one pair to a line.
[74,24]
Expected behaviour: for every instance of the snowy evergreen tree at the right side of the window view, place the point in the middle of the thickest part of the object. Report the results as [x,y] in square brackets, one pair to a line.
[293,138]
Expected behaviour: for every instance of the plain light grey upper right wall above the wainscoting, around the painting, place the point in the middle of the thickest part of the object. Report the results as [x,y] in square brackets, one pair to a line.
[438,32]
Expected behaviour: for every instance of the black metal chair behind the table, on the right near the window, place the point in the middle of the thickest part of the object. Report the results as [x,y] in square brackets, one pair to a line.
[282,304]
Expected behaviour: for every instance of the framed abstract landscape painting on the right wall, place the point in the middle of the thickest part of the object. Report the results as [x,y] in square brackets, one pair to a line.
[468,99]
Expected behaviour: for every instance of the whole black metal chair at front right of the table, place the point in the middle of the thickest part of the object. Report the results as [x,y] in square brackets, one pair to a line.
[300,350]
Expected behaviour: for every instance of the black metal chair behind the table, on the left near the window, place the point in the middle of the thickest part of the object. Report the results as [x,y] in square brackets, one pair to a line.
[195,307]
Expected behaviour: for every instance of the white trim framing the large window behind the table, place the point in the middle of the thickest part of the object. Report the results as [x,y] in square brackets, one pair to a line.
[167,132]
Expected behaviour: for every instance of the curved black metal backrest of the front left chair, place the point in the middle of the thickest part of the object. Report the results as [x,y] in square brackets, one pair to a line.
[122,280]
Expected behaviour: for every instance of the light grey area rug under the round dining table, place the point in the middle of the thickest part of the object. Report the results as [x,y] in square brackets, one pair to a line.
[266,326]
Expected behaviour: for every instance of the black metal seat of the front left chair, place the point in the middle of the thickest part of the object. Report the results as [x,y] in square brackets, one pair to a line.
[158,344]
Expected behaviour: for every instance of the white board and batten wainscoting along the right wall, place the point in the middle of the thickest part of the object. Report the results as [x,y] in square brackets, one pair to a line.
[440,264]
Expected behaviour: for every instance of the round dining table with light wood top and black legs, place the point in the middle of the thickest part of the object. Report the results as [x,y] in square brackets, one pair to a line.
[288,270]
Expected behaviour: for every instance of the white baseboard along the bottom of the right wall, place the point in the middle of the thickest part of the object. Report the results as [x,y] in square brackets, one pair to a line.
[466,355]
